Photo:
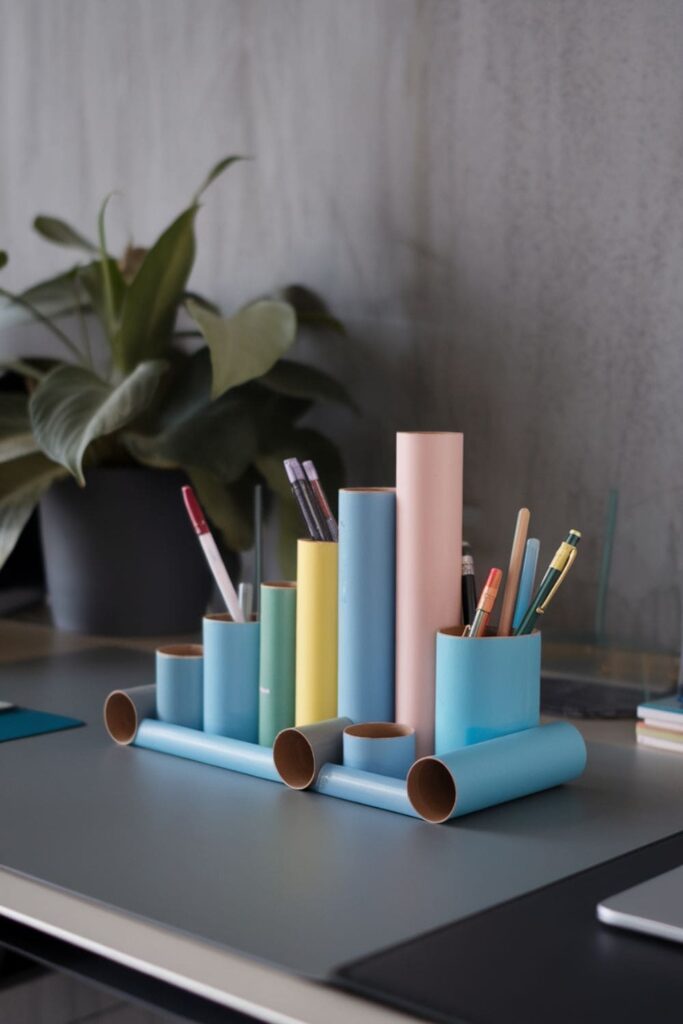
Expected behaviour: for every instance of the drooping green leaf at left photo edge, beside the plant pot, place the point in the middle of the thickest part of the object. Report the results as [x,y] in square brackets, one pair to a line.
[23,483]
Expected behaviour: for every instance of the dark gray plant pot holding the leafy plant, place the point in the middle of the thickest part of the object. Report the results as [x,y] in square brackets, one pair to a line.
[121,558]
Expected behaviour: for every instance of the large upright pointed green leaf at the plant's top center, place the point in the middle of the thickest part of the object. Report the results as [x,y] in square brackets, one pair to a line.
[152,300]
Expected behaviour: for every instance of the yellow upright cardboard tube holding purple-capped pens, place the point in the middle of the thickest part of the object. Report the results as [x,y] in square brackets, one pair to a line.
[317,631]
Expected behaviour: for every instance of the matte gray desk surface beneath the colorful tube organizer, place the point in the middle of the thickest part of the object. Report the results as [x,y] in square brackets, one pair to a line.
[296,880]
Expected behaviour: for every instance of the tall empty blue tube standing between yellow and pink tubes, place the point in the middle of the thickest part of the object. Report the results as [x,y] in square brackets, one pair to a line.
[367,604]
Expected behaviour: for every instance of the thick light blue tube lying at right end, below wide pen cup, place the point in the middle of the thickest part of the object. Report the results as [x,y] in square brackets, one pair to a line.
[498,771]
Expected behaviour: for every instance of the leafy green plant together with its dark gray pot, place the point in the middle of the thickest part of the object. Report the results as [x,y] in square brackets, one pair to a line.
[177,392]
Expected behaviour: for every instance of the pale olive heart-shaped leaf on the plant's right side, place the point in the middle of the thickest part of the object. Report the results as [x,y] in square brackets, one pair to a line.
[248,345]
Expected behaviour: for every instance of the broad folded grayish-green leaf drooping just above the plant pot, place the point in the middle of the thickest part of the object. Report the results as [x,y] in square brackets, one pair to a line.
[73,407]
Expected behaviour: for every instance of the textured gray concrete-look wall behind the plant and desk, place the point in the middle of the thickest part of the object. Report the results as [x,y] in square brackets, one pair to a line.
[489,192]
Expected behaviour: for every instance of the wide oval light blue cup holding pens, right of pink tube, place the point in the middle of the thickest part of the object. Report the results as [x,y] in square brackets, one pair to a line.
[486,688]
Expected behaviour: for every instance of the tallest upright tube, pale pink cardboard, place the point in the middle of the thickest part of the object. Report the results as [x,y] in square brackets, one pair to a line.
[430,541]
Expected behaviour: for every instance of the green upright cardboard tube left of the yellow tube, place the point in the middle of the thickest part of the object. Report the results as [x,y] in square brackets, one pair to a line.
[278,661]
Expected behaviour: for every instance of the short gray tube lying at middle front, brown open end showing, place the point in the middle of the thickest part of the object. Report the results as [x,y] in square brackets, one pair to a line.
[301,753]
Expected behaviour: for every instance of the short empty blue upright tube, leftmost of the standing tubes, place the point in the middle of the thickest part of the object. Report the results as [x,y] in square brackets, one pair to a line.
[181,686]
